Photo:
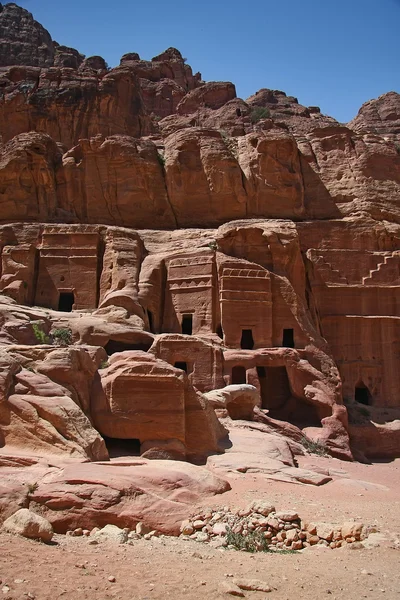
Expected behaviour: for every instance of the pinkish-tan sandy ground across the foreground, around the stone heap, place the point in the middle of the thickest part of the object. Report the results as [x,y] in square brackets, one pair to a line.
[161,568]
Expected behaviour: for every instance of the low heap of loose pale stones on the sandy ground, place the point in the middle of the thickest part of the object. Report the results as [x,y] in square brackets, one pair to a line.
[283,530]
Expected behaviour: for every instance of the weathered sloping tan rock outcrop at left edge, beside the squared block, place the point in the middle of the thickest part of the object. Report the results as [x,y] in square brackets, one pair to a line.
[40,417]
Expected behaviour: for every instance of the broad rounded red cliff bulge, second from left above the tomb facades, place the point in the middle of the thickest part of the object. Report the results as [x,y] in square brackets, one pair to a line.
[116,180]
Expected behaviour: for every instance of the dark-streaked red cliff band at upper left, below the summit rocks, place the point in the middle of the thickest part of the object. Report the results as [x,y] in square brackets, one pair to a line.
[69,105]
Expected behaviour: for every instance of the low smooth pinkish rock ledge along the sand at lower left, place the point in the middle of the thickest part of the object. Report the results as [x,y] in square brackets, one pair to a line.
[158,493]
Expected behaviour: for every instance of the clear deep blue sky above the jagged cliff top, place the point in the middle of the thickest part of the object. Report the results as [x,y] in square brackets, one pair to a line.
[336,55]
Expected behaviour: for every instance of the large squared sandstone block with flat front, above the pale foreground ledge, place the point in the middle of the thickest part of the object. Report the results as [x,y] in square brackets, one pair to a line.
[146,399]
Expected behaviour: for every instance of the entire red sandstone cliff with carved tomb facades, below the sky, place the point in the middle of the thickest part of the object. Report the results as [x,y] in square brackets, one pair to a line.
[113,164]
